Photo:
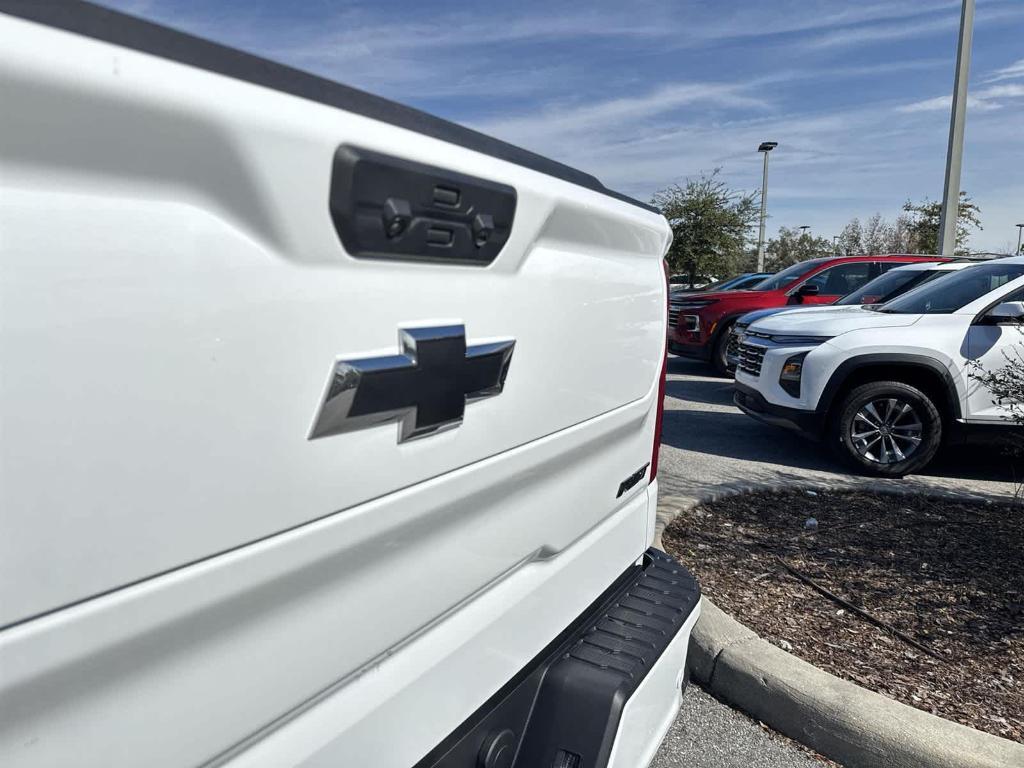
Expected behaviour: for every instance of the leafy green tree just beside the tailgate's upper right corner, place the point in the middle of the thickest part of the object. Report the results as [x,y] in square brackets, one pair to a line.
[710,226]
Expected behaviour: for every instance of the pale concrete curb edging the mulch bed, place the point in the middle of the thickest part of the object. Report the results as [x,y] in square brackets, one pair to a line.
[837,718]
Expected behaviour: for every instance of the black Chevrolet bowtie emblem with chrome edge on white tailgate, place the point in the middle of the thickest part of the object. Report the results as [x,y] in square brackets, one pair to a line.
[425,388]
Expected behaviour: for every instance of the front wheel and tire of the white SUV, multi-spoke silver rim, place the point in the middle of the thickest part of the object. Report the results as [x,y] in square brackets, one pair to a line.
[887,429]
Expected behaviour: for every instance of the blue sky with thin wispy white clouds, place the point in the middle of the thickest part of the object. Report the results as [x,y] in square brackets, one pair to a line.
[647,94]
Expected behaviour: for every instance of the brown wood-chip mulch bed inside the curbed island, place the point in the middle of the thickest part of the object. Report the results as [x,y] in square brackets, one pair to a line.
[947,574]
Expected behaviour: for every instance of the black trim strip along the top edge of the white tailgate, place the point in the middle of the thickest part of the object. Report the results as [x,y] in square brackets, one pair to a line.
[131,32]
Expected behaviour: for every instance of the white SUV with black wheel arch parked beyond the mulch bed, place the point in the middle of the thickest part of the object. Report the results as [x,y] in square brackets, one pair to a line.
[886,386]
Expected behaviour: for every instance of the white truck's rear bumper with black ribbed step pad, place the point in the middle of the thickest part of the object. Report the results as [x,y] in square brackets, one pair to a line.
[603,694]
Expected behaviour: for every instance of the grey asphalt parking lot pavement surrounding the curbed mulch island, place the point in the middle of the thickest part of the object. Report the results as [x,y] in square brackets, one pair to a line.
[708,446]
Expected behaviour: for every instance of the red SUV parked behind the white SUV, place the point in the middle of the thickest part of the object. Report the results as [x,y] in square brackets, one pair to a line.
[700,323]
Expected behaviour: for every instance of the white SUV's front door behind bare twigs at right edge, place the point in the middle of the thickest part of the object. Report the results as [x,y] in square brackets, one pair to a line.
[992,348]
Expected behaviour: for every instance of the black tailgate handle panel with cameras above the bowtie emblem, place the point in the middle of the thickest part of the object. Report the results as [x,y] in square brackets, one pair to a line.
[390,208]
